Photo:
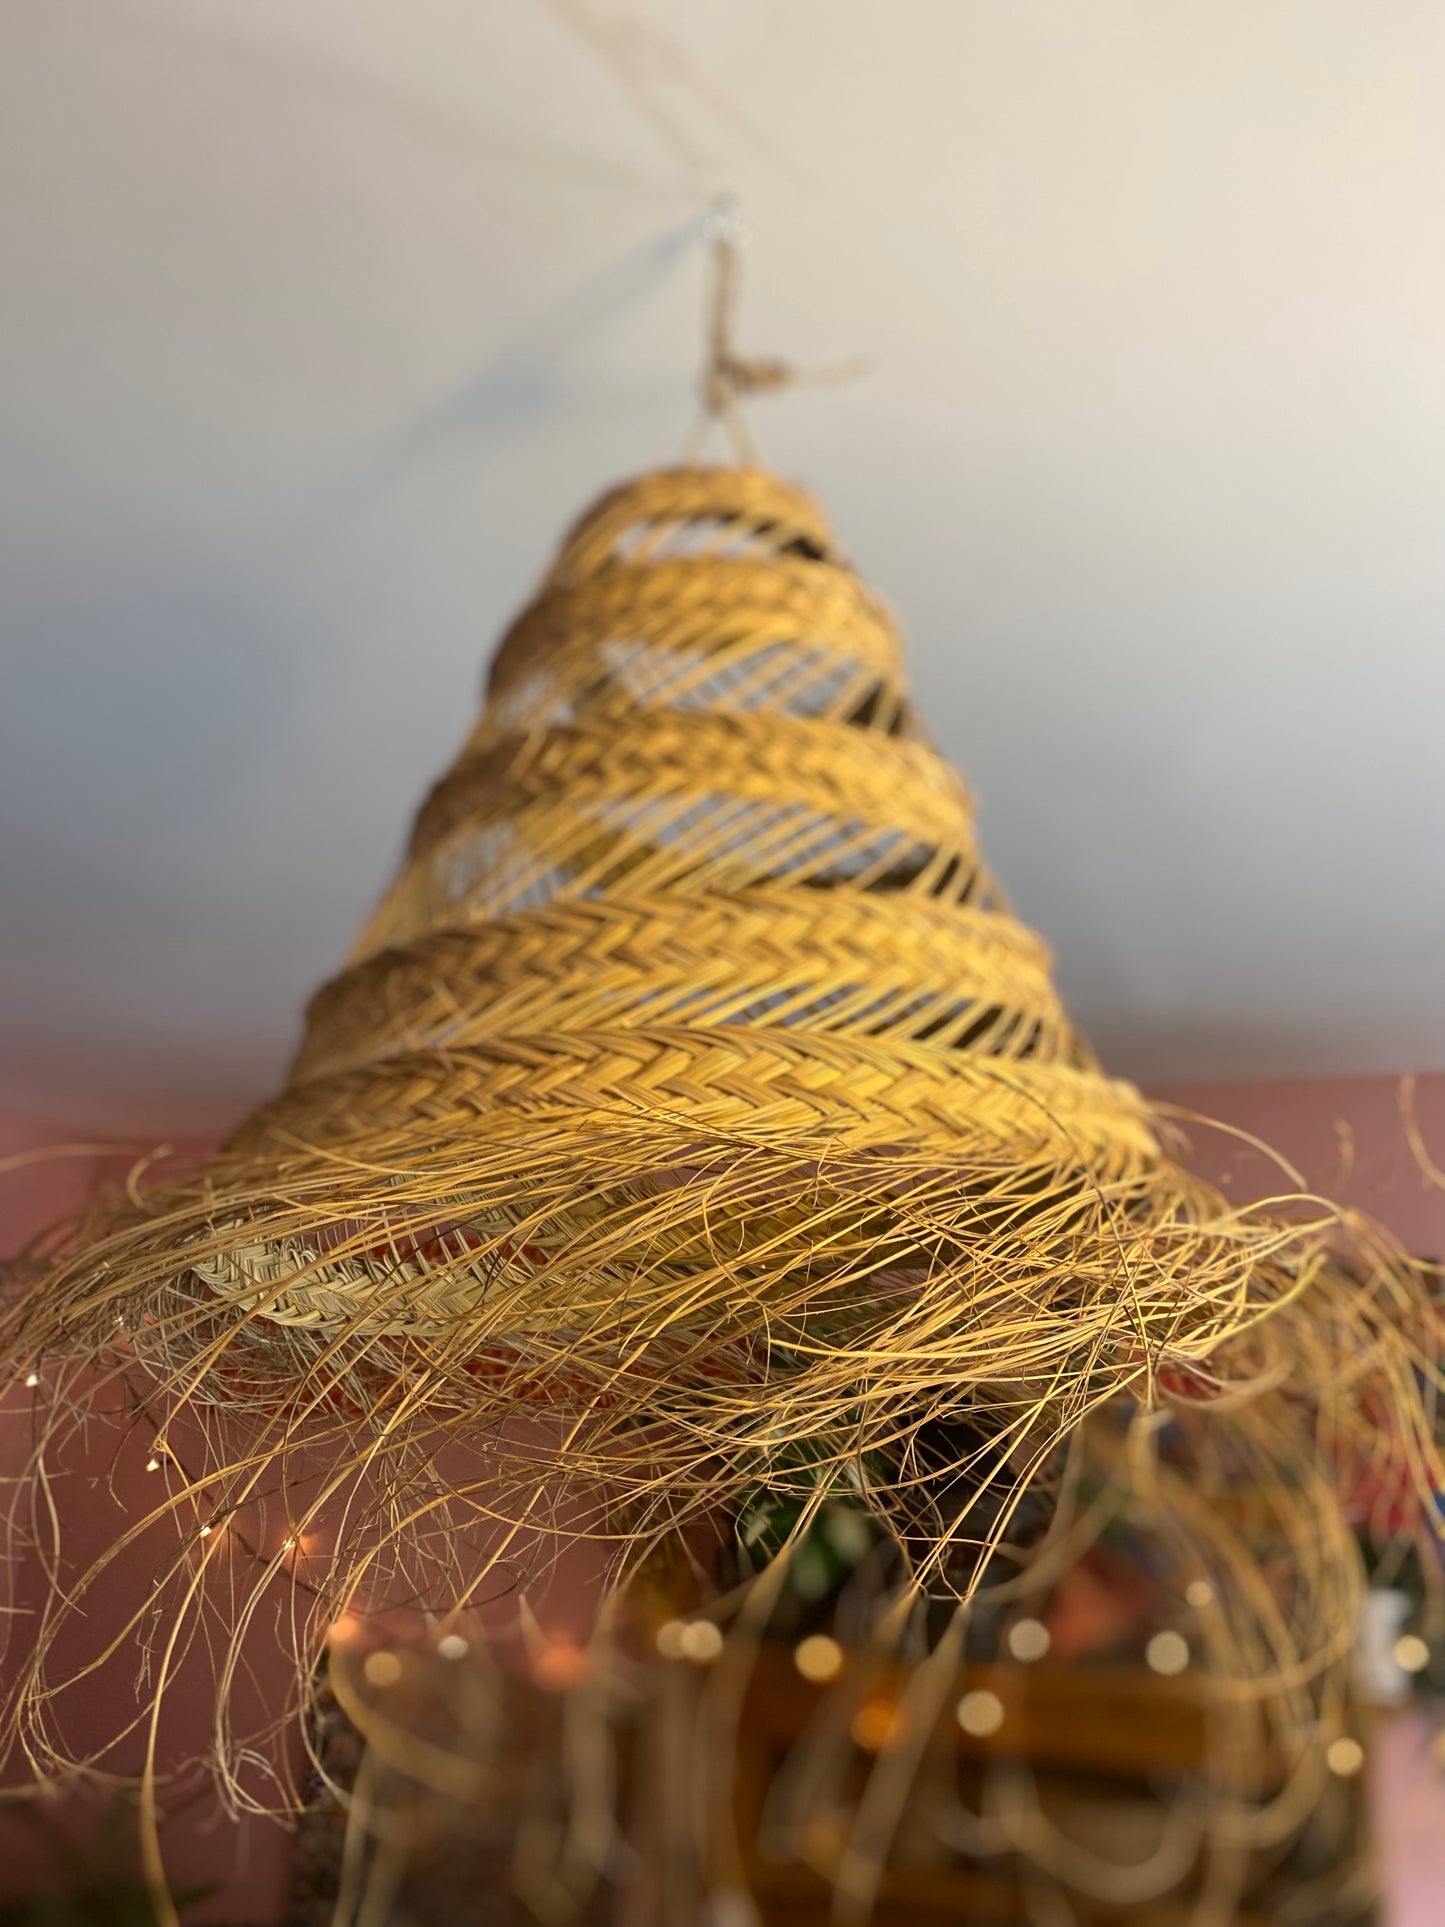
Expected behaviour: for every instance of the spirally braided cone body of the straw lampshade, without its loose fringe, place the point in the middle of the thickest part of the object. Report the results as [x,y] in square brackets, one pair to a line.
[695,903]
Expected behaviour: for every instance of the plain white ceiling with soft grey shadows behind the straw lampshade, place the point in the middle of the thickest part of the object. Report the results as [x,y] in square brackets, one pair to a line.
[319,321]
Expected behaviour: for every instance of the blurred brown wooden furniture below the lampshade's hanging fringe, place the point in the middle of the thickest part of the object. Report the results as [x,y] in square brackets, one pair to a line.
[1099,1753]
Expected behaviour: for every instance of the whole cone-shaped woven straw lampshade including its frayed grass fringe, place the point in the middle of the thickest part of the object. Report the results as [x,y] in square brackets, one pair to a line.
[693,1119]
